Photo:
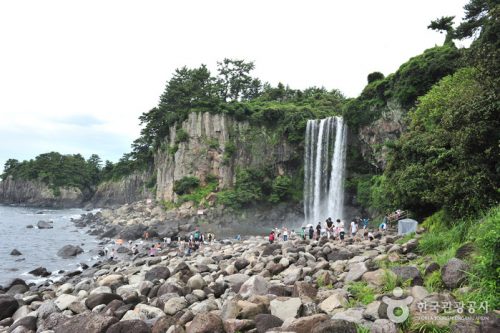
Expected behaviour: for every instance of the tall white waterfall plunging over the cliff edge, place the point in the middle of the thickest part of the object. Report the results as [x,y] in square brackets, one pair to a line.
[324,169]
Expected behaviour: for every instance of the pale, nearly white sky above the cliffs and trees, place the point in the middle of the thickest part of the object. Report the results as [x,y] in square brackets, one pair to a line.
[76,75]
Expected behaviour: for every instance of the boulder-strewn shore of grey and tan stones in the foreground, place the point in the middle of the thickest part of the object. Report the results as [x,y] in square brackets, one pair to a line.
[240,286]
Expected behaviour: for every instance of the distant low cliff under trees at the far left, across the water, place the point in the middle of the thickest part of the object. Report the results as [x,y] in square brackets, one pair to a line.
[32,193]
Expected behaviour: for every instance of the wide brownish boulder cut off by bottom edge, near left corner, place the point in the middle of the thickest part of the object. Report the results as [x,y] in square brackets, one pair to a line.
[86,322]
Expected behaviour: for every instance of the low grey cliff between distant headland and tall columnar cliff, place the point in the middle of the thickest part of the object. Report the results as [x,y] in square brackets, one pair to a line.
[129,189]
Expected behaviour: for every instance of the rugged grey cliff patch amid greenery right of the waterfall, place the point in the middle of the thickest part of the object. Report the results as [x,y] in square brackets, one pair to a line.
[374,136]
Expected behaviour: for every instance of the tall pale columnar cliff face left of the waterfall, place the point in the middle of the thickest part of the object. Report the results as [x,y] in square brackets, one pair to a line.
[218,145]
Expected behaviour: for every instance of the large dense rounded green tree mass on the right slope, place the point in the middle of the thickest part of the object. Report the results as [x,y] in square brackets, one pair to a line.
[449,156]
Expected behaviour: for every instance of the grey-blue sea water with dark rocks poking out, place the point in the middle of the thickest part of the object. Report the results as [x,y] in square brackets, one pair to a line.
[39,246]
